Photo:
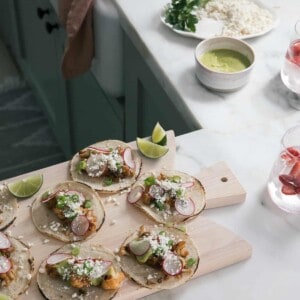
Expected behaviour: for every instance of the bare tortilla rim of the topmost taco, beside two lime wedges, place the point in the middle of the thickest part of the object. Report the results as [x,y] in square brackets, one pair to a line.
[96,182]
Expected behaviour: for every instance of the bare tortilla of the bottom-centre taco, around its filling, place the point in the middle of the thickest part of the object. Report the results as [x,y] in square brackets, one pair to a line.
[55,288]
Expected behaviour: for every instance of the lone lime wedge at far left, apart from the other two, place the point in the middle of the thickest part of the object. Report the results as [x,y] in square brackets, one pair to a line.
[26,187]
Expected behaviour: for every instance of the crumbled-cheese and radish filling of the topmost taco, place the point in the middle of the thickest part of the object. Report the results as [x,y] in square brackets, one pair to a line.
[111,164]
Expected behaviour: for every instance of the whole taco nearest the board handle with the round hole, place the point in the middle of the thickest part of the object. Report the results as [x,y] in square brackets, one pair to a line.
[168,196]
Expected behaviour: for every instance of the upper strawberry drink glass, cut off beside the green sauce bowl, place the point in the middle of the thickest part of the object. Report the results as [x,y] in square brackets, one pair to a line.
[290,72]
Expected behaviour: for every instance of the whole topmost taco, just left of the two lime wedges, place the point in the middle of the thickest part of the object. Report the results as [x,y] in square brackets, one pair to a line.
[107,166]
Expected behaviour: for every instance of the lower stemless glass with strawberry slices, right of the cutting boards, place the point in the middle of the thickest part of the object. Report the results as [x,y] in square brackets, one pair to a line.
[284,181]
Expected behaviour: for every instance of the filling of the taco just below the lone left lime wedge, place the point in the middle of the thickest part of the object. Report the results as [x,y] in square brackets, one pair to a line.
[73,209]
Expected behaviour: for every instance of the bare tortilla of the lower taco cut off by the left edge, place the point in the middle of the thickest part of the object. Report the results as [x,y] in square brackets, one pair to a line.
[23,264]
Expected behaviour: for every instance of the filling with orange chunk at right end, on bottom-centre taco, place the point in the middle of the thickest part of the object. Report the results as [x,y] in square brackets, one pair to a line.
[83,273]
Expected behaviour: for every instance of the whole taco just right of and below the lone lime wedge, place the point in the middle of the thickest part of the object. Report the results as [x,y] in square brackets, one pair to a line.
[70,211]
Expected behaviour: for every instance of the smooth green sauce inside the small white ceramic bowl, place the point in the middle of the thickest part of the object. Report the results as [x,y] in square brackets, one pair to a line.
[225,60]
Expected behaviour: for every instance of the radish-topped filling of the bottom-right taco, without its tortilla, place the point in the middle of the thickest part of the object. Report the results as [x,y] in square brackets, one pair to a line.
[163,251]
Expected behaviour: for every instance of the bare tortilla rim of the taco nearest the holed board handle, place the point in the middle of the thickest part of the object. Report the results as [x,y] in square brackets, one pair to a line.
[196,193]
